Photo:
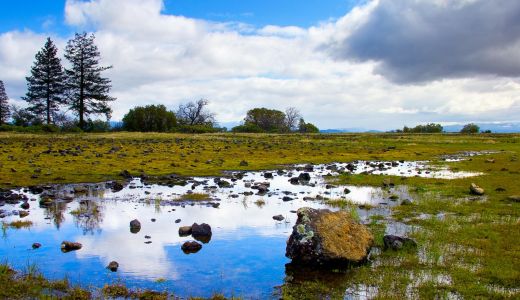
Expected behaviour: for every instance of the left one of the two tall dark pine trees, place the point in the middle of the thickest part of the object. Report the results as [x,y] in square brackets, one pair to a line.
[46,83]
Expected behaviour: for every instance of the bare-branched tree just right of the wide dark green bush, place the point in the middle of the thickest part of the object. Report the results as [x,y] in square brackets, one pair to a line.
[195,113]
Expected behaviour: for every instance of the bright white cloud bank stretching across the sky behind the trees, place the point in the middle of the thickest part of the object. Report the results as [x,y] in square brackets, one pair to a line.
[160,58]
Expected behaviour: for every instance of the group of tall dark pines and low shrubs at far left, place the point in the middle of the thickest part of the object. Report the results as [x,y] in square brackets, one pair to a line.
[80,88]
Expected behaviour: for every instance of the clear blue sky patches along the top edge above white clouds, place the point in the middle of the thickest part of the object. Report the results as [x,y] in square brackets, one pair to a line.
[48,15]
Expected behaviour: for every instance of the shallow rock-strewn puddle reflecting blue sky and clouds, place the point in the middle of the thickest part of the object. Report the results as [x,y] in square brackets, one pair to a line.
[245,255]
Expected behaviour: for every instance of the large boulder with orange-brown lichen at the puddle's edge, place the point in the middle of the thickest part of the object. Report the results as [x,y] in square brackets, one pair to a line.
[323,237]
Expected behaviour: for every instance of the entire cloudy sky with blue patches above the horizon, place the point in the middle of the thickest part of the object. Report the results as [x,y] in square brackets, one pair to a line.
[370,64]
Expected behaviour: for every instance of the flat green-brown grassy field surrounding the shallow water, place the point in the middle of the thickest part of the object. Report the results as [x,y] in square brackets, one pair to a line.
[468,246]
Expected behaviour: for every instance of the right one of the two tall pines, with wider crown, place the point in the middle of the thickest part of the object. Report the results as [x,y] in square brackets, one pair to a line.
[88,91]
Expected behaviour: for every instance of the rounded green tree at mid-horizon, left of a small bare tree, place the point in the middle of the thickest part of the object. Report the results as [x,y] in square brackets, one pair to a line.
[269,120]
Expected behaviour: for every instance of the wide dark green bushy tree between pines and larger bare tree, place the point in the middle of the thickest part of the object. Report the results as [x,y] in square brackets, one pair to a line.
[149,118]
